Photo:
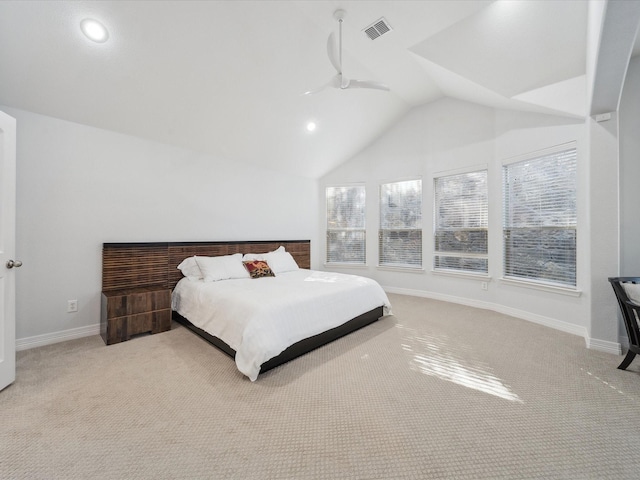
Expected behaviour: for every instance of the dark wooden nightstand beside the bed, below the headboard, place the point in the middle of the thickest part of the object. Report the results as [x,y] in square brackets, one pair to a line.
[132,311]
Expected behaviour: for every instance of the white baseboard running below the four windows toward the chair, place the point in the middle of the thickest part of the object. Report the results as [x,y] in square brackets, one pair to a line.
[595,344]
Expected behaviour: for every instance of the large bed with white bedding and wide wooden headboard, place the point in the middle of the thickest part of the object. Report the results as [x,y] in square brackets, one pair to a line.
[340,305]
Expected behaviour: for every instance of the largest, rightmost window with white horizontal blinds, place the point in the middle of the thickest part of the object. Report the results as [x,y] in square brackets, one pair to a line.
[539,195]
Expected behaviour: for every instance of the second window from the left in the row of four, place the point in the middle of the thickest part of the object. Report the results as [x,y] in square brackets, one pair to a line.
[400,236]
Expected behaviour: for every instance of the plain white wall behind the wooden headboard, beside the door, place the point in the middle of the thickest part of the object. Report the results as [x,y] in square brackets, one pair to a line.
[78,187]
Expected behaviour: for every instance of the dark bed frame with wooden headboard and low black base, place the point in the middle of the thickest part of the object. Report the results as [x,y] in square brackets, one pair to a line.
[133,265]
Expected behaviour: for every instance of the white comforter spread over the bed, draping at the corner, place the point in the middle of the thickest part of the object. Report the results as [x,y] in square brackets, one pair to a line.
[259,318]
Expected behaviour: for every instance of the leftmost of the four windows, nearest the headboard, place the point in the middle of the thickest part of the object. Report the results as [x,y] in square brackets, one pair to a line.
[345,225]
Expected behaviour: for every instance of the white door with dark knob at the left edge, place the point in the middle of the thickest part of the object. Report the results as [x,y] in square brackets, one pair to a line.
[7,250]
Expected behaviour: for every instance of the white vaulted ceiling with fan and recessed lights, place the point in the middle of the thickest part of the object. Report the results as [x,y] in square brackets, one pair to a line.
[227,77]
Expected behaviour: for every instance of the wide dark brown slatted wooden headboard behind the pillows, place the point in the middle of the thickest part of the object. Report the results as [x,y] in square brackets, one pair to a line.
[131,265]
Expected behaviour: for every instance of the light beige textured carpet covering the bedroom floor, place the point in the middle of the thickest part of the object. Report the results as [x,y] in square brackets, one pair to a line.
[437,391]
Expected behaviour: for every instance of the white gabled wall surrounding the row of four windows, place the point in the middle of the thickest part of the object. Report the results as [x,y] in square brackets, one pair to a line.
[449,135]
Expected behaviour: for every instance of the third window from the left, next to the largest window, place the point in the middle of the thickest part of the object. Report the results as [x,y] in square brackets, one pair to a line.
[460,222]
